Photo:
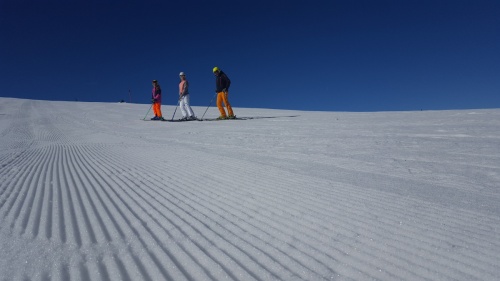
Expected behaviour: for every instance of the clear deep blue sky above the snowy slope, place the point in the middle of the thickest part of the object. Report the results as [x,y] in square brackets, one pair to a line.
[349,55]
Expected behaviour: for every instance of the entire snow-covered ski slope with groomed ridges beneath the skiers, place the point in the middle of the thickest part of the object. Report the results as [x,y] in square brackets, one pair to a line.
[88,191]
